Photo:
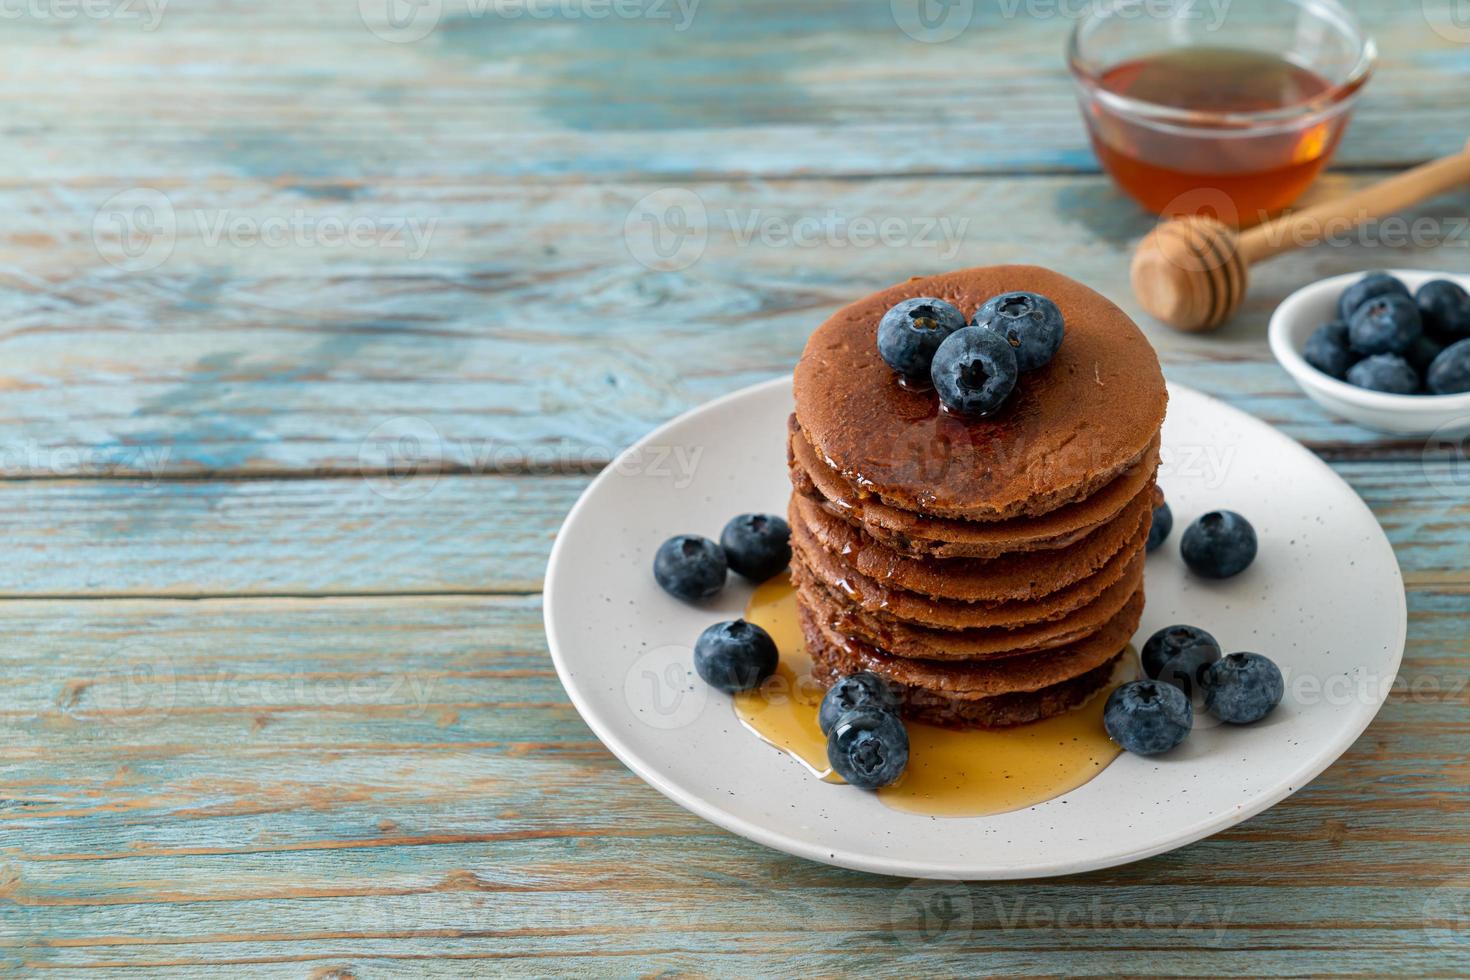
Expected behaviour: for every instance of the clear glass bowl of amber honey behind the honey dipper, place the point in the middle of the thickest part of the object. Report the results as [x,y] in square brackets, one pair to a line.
[1222,109]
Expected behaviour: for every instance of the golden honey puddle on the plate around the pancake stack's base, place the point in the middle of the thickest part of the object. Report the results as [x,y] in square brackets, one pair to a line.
[950,774]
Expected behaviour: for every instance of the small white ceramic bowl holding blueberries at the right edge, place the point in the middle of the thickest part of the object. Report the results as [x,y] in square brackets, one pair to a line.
[1308,309]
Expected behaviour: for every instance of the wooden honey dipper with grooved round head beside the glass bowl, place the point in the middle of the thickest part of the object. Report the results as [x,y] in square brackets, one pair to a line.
[1191,273]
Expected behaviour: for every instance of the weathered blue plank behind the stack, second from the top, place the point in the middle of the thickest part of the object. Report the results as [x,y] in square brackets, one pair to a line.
[251,359]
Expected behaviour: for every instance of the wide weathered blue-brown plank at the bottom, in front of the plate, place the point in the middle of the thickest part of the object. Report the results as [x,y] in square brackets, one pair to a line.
[336,831]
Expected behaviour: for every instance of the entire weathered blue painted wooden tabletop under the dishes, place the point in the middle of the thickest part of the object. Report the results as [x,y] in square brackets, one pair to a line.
[315,324]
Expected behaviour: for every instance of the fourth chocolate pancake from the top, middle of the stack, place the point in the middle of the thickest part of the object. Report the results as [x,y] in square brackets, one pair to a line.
[839,577]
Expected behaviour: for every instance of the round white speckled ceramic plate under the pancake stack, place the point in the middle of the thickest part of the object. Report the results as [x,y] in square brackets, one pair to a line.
[1325,600]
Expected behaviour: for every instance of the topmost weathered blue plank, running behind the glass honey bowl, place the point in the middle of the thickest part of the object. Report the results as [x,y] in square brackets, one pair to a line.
[305,95]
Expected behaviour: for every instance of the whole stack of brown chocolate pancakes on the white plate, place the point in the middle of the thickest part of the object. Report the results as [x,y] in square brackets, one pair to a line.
[992,569]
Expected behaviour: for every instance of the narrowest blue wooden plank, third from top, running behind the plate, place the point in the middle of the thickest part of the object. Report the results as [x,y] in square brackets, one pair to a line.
[448,534]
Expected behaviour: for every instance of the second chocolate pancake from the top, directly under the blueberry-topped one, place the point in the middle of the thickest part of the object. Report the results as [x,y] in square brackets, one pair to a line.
[925,537]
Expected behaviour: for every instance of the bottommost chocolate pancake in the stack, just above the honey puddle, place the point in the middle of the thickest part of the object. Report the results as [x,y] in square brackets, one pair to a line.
[962,710]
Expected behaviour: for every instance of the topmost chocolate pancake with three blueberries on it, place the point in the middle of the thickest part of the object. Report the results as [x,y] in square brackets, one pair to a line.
[1068,430]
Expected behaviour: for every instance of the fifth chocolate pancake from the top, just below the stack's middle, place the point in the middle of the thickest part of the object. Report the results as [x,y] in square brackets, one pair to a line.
[906,640]
